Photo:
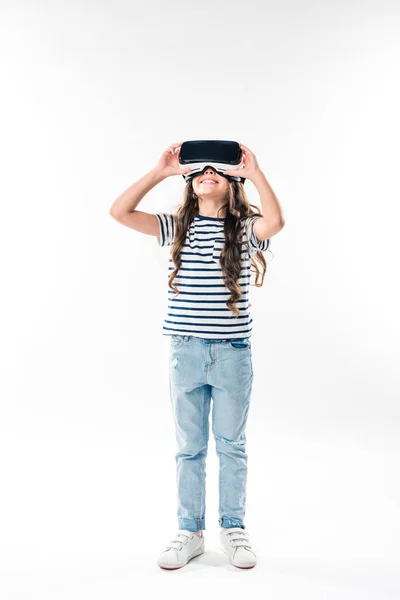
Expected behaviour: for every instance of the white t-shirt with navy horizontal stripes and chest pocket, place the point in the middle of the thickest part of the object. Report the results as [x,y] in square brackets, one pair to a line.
[200,308]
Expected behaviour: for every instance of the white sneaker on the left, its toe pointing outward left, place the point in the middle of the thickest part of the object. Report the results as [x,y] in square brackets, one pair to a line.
[185,546]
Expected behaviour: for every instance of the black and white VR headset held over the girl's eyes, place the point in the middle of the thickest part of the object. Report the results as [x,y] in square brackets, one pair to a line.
[218,154]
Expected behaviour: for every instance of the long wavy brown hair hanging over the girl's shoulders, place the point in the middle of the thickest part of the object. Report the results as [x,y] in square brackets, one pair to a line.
[236,207]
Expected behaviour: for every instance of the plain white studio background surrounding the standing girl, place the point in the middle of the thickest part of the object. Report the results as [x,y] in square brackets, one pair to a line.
[92,93]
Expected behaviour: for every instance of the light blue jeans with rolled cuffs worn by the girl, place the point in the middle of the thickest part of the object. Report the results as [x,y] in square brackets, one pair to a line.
[201,369]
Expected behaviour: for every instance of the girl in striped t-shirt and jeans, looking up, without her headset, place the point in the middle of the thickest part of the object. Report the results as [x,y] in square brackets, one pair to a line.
[215,237]
